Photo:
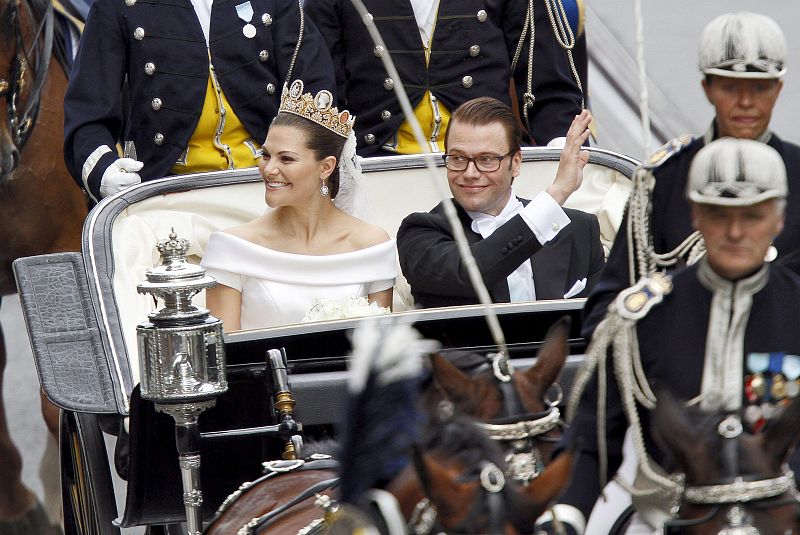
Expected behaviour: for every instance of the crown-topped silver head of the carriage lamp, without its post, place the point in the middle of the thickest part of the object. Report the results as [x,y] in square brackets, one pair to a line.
[182,357]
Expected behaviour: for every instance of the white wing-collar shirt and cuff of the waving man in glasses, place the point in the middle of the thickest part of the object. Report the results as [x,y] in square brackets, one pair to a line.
[544,217]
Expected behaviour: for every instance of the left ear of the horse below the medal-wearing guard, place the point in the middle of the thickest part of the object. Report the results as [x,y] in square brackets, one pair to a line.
[674,432]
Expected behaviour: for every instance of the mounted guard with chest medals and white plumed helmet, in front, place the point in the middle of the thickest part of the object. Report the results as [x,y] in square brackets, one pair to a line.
[717,334]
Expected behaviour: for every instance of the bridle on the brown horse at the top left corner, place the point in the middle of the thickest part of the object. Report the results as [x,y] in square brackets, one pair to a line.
[12,88]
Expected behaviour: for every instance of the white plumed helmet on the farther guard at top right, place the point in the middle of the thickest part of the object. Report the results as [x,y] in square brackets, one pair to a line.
[743,45]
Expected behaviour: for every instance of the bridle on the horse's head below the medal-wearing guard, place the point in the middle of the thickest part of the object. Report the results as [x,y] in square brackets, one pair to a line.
[734,491]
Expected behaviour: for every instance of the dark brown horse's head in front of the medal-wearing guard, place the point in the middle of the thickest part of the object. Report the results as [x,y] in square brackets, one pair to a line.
[734,481]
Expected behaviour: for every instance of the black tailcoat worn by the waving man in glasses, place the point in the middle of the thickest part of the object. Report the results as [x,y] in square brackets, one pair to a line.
[432,264]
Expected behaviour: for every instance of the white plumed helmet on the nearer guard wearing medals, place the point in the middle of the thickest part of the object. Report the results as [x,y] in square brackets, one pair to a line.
[736,172]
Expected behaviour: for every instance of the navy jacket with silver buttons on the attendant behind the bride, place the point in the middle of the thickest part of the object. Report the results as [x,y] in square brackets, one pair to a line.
[250,71]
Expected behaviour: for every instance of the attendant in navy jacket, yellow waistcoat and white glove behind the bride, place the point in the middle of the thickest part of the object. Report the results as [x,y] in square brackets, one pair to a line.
[203,79]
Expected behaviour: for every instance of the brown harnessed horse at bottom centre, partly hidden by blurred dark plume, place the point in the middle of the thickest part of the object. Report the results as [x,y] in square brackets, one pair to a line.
[454,485]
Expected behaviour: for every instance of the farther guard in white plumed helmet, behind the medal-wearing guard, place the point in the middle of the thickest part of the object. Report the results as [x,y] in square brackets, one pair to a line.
[743,58]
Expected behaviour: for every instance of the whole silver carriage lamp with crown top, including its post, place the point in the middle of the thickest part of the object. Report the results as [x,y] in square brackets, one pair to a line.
[182,360]
